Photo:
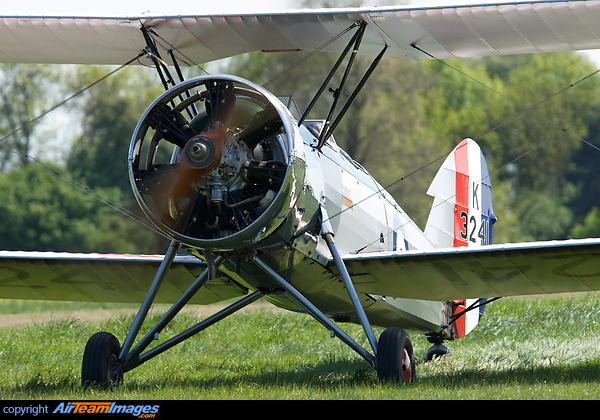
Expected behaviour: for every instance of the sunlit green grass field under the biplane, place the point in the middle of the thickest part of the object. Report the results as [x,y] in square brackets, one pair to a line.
[527,348]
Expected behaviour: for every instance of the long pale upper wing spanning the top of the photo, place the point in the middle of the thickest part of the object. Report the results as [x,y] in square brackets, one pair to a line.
[443,32]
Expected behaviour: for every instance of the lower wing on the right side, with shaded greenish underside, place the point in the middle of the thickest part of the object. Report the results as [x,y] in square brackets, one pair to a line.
[488,271]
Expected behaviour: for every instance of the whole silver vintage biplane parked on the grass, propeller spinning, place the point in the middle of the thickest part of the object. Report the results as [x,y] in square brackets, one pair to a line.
[259,201]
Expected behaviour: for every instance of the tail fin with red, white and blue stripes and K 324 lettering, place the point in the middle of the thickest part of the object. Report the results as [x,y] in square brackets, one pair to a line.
[462,215]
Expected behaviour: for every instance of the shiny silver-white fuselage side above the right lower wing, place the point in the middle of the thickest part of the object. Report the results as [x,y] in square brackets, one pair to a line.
[363,215]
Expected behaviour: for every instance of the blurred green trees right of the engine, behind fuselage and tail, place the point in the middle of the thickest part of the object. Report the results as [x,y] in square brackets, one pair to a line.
[534,116]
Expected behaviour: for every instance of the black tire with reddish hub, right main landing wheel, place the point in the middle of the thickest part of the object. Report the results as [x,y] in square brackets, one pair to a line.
[395,357]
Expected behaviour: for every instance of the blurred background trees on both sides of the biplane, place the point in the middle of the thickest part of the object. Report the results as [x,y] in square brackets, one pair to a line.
[534,116]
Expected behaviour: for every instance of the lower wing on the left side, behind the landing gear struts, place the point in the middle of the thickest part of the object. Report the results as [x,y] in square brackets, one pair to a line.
[104,278]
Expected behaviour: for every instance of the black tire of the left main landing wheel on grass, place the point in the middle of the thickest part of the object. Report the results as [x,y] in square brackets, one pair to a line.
[100,366]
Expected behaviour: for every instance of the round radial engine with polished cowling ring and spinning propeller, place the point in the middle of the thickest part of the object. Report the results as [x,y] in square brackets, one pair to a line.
[214,163]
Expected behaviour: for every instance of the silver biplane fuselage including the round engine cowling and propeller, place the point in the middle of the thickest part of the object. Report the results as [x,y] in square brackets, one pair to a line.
[246,179]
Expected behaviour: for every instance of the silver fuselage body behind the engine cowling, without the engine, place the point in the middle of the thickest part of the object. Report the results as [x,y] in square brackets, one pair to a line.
[364,217]
